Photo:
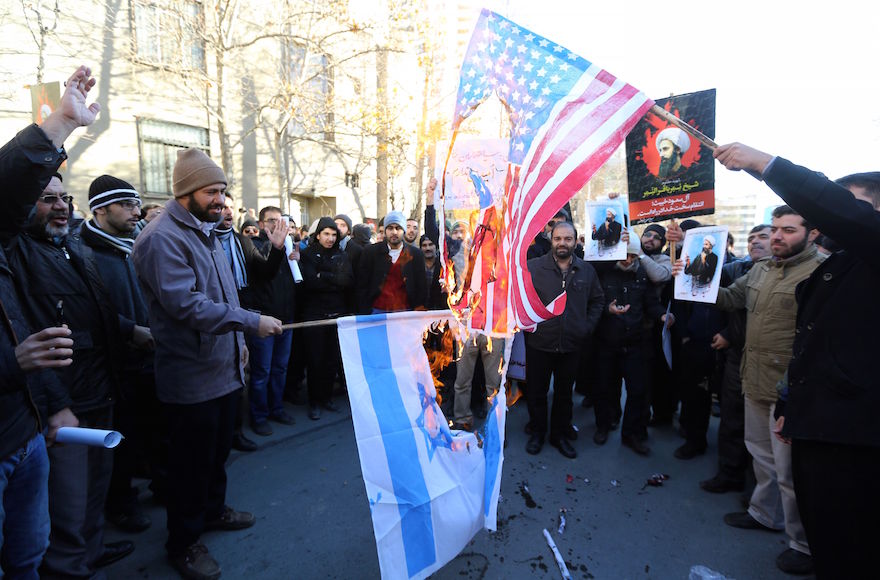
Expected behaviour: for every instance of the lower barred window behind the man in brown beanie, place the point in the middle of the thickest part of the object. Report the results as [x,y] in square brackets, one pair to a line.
[159,142]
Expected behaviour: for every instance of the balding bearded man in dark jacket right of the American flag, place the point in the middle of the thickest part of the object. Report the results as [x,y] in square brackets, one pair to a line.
[550,348]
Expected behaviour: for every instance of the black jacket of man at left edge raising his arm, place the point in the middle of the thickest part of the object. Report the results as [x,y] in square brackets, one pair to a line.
[26,166]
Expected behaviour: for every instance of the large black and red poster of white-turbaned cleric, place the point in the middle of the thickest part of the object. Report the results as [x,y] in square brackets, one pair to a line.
[669,173]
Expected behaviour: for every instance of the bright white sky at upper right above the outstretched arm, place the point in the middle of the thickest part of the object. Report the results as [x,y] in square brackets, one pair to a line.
[796,79]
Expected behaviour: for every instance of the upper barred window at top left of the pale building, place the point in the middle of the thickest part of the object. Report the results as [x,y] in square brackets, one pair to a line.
[168,34]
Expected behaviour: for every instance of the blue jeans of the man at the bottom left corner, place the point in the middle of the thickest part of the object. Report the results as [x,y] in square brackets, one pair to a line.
[24,511]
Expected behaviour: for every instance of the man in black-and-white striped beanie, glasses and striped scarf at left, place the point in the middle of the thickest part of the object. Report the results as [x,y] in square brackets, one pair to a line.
[115,205]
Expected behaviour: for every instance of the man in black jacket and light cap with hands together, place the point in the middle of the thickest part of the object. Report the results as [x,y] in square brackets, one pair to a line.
[620,339]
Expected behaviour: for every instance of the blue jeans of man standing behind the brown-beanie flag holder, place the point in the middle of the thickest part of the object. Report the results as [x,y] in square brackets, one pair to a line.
[268,359]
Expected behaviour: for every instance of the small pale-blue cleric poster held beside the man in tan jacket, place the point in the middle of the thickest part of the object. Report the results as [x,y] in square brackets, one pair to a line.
[703,256]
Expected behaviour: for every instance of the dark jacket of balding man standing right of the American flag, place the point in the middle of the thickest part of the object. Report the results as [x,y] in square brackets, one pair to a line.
[584,304]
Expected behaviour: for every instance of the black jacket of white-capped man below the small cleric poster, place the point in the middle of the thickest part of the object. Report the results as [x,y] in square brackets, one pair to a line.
[629,288]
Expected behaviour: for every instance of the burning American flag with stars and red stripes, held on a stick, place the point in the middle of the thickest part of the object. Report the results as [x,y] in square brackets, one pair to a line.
[567,117]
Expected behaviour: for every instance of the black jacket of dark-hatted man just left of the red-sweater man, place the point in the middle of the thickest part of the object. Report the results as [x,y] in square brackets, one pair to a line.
[328,279]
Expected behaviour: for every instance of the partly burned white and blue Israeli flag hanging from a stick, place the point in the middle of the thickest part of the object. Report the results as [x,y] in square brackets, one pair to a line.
[430,489]
